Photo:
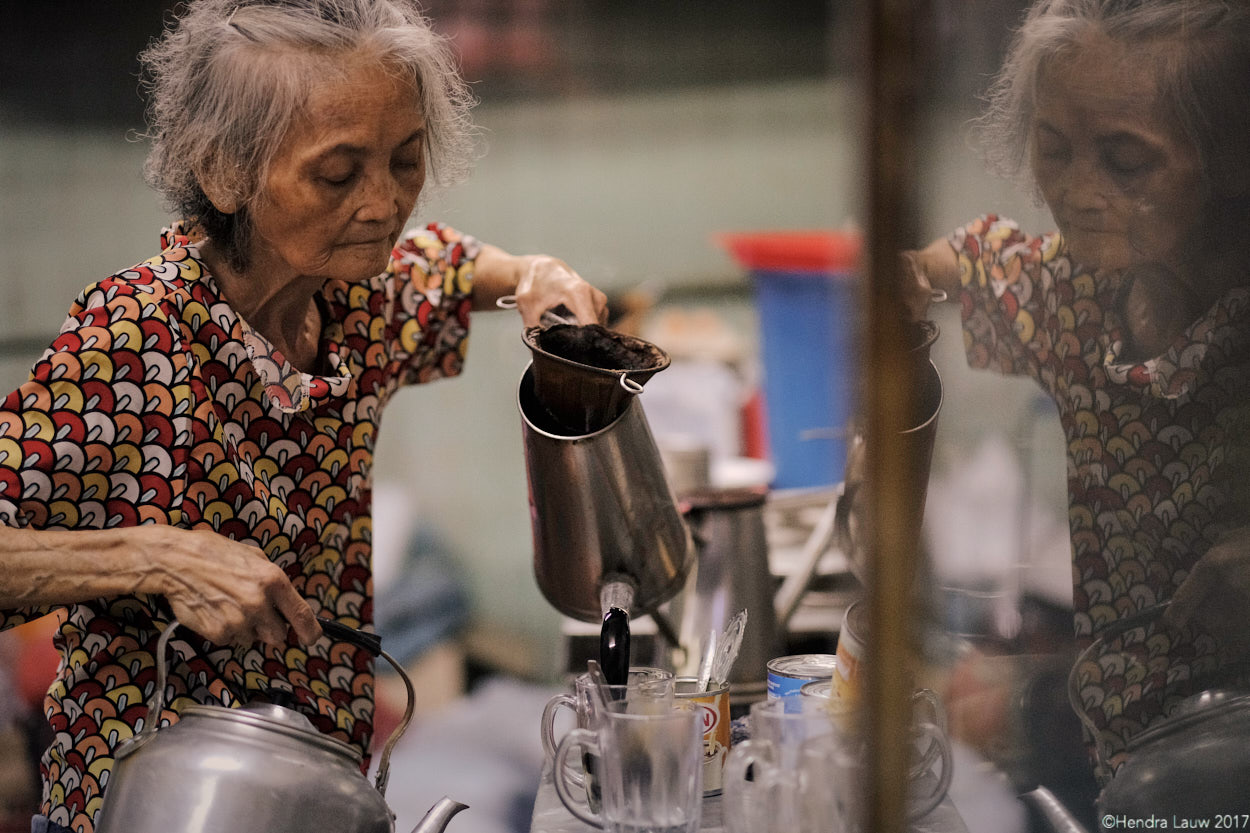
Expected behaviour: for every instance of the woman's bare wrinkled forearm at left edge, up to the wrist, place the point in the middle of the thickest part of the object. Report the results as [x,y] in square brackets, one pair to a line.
[58,567]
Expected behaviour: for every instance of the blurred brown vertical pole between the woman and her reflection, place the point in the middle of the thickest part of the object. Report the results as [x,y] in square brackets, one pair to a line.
[893,93]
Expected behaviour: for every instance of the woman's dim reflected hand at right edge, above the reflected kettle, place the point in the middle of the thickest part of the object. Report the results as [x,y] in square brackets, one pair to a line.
[1217,595]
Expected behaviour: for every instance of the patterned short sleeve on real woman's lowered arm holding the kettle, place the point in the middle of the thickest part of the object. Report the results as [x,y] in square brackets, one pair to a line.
[97,437]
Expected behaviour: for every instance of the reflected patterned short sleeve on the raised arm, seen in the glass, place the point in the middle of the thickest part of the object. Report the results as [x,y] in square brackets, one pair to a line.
[1008,292]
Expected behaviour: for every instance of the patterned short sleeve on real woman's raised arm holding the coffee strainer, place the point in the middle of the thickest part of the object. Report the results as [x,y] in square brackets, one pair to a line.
[433,271]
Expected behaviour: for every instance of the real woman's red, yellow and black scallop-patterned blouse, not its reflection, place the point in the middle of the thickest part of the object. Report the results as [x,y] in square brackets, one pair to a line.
[158,405]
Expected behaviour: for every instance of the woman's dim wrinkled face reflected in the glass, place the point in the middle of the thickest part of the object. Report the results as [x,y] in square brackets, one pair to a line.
[1121,181]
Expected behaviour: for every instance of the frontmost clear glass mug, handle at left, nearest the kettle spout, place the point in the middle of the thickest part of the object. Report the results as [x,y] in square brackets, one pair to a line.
[649,767]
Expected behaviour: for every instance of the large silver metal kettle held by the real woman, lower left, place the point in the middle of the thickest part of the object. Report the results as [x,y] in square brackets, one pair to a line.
[263,767]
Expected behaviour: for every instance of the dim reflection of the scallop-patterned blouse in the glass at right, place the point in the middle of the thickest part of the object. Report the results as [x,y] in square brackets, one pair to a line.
[1157,455]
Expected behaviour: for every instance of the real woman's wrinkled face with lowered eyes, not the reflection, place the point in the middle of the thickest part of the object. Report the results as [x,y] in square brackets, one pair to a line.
[344,181]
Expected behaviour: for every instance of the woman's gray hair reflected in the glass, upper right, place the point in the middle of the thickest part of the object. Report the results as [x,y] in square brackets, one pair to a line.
[1204,77]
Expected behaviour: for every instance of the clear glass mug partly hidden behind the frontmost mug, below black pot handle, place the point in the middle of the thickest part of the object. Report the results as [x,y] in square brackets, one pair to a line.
[646,690]
